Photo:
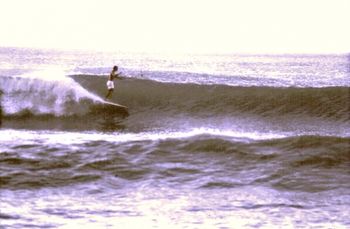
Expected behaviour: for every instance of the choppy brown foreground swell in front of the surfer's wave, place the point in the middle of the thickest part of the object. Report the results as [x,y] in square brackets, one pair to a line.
[282,163]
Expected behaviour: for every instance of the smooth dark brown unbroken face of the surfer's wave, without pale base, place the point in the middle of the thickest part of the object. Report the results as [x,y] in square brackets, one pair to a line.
[209,100]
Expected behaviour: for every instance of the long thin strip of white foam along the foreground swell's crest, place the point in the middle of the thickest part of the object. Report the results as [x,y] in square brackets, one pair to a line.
[71,138]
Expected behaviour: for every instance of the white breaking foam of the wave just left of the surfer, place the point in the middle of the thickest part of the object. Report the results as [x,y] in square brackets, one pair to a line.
[47,91]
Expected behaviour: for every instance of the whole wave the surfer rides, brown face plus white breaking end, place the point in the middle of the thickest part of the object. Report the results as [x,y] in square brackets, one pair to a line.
[70,100]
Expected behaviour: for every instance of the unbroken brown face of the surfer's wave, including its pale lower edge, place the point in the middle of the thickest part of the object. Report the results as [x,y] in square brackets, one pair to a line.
[223,105]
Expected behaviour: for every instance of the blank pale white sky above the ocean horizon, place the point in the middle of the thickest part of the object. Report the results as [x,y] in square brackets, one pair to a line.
[259,26]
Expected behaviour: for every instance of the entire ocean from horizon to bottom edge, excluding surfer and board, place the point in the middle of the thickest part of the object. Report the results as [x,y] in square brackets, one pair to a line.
[212,141]
